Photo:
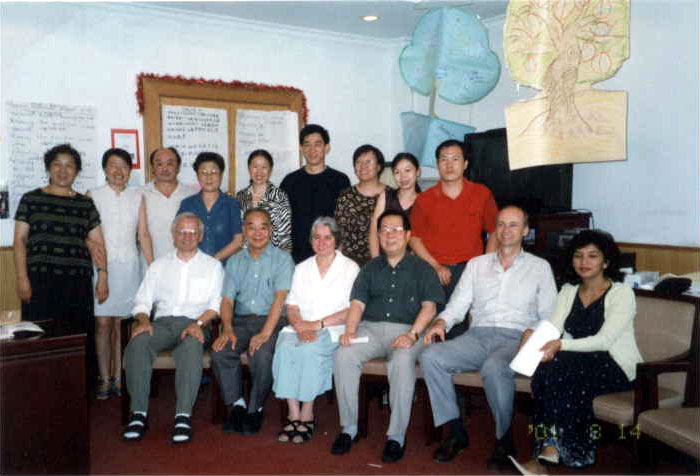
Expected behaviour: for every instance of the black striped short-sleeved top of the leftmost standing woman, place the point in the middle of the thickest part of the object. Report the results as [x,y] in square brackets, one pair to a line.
[58,227]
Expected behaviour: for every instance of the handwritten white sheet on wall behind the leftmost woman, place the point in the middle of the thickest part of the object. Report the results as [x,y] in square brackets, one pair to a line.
[32,129]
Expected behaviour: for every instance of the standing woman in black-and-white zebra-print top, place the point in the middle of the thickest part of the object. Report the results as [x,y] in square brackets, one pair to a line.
[261,193]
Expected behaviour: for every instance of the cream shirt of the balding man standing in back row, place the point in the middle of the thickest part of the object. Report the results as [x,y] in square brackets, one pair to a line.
[161,211]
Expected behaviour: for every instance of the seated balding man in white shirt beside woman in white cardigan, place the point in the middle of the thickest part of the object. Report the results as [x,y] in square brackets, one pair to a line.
[507,292]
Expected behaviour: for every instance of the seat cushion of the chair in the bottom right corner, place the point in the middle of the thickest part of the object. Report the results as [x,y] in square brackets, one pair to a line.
[677,427]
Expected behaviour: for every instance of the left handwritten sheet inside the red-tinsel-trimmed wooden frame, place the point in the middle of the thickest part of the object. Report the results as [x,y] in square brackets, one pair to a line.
[192,130]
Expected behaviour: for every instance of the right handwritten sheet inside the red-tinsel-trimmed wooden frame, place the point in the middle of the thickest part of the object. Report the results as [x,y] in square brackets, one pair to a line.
[275,131]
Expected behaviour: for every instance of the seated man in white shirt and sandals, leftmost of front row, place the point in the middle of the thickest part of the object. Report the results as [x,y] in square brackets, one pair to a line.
[186,286]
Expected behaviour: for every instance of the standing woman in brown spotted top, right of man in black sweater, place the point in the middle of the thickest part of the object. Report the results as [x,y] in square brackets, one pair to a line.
[356,204]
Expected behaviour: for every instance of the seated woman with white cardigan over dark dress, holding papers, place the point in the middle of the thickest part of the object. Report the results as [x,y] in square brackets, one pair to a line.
[596,354]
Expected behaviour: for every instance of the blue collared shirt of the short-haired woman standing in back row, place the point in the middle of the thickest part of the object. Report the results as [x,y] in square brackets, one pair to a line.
[221,223]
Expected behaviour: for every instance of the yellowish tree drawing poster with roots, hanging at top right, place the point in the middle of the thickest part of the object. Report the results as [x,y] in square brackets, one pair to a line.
[562,48]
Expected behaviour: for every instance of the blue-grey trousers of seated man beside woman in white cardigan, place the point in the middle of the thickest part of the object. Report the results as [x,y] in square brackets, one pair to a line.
[488,350]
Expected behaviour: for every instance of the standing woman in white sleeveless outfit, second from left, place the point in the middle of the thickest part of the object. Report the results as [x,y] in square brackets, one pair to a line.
[123,214]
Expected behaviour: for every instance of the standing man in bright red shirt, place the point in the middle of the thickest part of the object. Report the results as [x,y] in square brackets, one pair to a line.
[448,219]
